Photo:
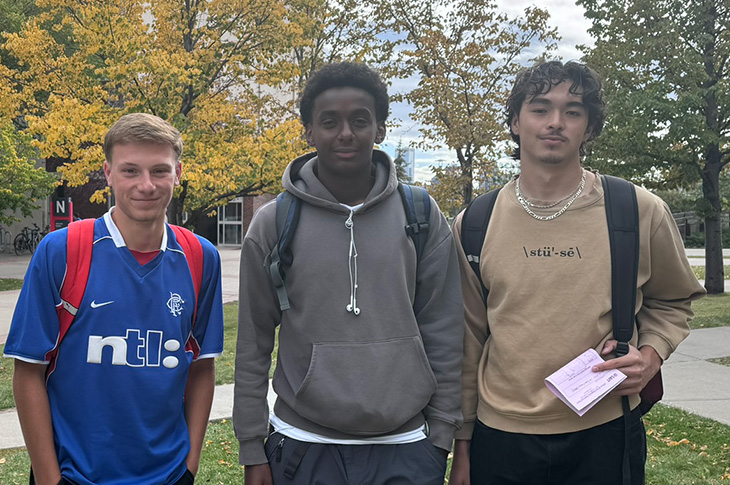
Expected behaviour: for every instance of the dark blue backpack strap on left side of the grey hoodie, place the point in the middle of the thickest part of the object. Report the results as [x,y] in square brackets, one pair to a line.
[280,257]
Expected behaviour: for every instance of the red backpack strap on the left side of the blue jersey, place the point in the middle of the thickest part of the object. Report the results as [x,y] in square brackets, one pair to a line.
[79,246]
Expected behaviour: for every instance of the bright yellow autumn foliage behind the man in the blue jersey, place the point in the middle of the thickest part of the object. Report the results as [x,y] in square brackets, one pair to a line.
[199,64]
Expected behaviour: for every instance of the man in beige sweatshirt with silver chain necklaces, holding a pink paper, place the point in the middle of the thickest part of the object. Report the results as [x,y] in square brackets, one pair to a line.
[546,262]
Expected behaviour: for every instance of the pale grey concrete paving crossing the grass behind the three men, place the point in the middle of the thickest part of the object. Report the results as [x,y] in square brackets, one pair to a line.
[690,381]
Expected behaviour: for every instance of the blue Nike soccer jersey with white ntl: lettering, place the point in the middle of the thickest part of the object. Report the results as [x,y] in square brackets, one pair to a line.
[116,392]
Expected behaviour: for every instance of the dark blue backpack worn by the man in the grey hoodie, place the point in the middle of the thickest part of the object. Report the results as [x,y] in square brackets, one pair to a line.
[417,205]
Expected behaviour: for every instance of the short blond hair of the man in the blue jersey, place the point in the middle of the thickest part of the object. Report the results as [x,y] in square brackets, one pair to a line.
[142,128]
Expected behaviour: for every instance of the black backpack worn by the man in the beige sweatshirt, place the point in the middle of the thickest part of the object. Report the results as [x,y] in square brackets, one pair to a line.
[622,217]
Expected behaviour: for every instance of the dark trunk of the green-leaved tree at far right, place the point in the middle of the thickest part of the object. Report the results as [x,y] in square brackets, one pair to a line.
[714,270]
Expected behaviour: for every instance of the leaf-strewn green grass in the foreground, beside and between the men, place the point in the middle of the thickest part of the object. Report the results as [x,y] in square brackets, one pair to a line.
[683,450]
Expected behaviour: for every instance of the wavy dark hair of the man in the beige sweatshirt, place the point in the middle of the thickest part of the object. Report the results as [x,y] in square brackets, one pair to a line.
[542,77]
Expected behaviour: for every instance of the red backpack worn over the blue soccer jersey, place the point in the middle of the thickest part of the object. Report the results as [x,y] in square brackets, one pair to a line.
[79,246]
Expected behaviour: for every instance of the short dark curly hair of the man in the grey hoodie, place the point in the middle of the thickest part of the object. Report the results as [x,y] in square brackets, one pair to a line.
[344,74]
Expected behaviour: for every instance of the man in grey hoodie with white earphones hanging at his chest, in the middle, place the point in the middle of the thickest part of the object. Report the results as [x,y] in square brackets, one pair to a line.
[368,368]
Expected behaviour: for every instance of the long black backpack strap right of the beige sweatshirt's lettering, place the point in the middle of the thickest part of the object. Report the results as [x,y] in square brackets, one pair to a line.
[622,215]
